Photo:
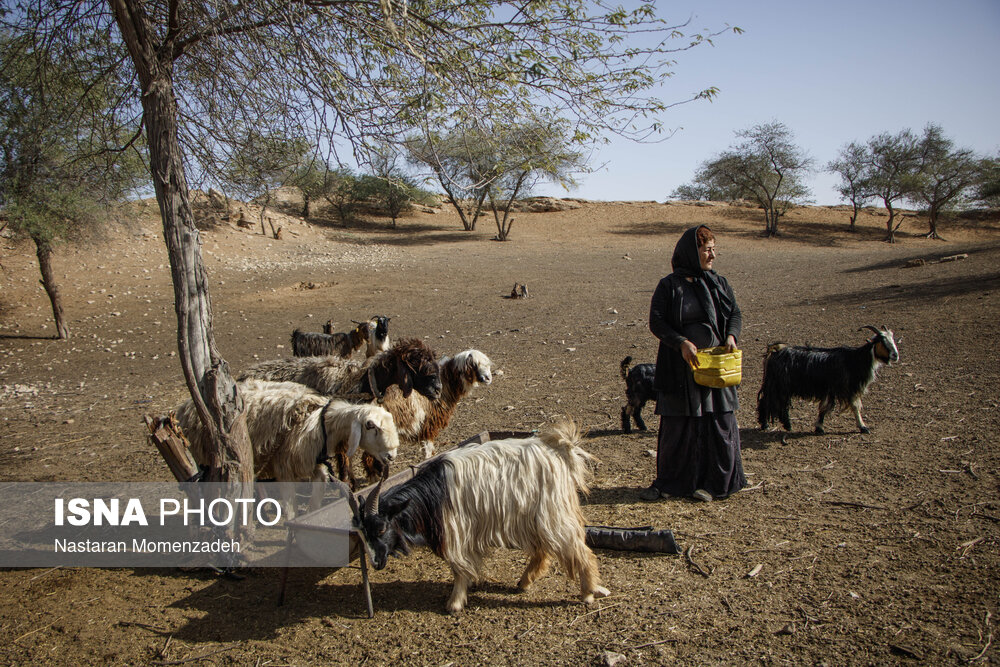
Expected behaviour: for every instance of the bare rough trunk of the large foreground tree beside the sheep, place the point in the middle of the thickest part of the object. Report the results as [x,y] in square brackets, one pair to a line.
[206,373]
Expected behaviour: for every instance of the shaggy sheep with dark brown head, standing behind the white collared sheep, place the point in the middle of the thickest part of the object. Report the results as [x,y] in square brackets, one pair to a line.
[410,363]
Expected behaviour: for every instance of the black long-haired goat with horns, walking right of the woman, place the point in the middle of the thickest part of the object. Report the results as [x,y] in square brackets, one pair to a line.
[833,375]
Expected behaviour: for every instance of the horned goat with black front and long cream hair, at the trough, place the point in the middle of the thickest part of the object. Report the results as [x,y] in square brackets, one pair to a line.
[514,493]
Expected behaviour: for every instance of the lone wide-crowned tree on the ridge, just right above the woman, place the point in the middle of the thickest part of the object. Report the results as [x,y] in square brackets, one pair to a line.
[765,167]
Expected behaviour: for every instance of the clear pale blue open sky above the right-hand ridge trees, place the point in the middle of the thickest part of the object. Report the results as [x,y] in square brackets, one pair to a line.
[833,72]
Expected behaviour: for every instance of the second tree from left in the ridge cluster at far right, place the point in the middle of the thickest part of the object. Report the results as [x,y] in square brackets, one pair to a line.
[892,172]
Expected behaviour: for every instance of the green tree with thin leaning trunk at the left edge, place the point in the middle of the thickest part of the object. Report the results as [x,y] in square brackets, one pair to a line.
[60,171]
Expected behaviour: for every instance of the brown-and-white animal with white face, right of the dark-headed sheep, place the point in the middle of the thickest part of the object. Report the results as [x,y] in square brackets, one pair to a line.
[420,420]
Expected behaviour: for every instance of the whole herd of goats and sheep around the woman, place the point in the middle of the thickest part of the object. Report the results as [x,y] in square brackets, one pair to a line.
[318,407]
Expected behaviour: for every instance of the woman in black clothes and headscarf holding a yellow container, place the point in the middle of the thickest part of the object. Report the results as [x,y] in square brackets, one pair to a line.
[698,453]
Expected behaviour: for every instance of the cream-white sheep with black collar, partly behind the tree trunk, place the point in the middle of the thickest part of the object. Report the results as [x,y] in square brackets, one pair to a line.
[294,430]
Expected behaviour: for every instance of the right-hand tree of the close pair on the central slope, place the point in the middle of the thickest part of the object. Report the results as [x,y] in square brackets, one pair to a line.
[529,152]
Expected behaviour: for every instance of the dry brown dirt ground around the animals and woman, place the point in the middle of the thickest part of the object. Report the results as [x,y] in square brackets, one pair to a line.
[879,548]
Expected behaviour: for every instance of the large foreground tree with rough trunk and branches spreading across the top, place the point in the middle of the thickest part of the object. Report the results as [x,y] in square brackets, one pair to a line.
[356,70]
